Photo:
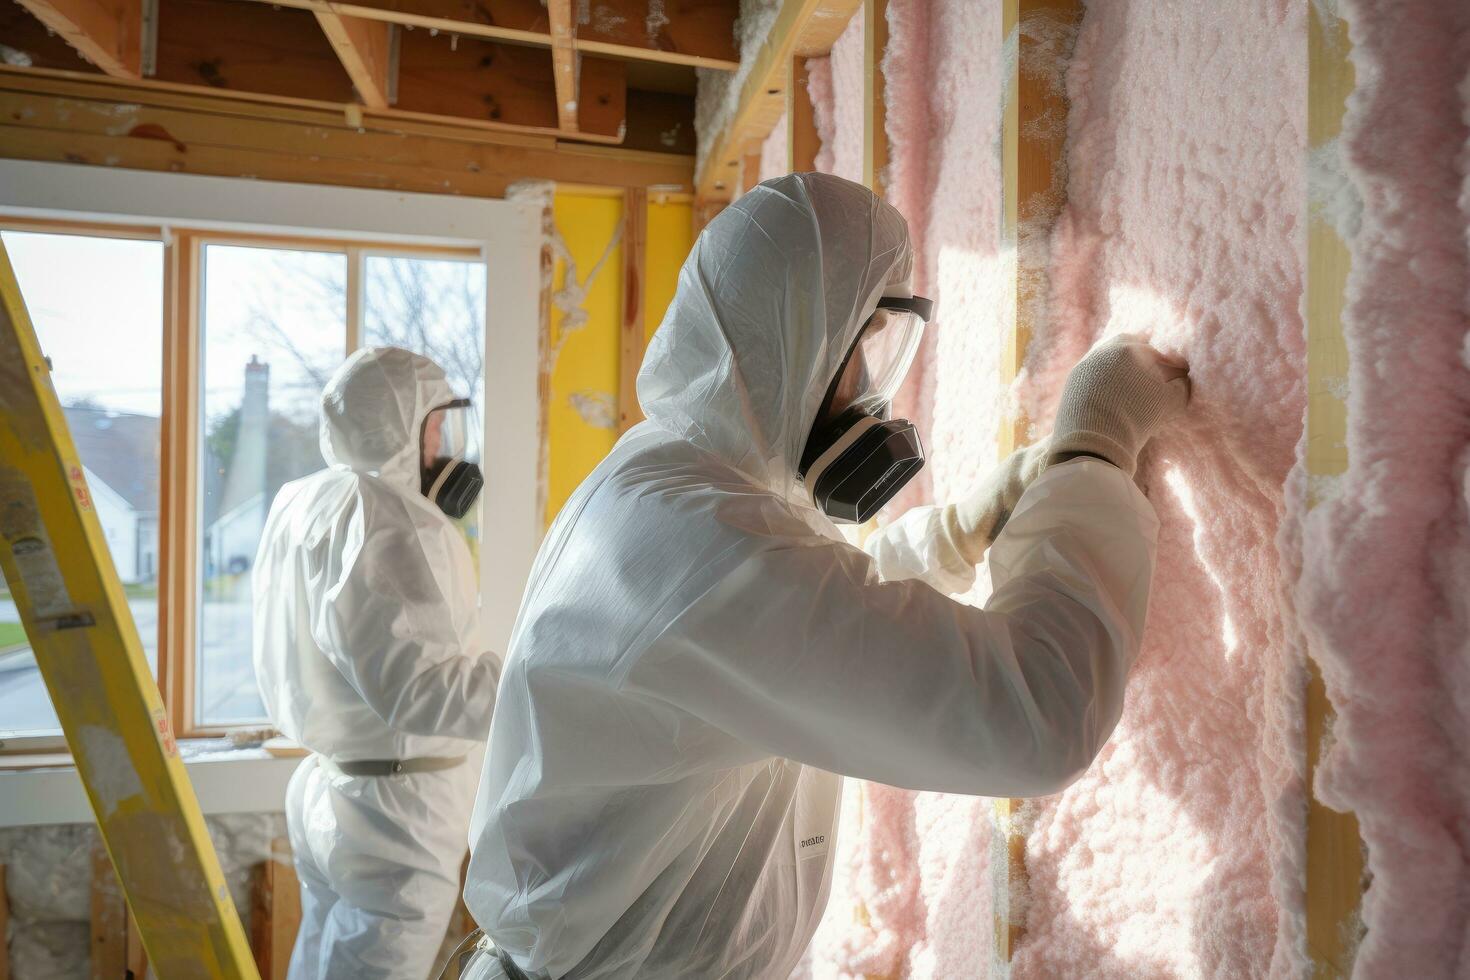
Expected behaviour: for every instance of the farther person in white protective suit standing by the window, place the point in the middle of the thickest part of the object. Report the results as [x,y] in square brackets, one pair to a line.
[370,653]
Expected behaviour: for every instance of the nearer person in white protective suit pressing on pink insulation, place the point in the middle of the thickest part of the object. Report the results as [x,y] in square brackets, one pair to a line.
[700,656]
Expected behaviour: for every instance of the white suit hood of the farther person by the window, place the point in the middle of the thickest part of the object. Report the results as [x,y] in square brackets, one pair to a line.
[374,411]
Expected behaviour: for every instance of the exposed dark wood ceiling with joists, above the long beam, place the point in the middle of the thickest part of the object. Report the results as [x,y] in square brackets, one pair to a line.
[495,64]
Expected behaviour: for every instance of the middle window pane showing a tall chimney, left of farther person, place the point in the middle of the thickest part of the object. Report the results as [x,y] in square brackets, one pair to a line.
[274,333]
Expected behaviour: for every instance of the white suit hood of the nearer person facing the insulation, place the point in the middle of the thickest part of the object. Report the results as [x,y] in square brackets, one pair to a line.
[770,303]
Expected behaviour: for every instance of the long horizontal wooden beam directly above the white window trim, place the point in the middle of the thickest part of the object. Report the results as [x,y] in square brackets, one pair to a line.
[46,117]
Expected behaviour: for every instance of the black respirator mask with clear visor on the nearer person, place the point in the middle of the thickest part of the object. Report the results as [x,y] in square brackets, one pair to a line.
[856,458]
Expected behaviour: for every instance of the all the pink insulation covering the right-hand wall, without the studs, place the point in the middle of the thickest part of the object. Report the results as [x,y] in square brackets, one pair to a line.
[1183,851]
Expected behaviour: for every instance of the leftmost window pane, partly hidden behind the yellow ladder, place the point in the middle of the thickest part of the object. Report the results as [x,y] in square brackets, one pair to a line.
[98,308]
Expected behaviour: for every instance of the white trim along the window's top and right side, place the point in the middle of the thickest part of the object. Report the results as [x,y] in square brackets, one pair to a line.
[503,234]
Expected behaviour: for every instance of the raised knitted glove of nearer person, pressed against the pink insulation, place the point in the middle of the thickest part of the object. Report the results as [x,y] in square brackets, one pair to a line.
[1116,399]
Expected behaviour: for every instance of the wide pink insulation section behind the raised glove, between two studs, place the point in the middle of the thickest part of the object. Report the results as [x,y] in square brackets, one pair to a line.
[1180,853]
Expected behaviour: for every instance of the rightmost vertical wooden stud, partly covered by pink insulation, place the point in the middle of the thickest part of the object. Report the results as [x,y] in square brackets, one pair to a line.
[1335,863]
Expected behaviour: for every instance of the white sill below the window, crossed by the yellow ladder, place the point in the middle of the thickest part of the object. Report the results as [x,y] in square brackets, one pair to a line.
[45,790]
